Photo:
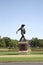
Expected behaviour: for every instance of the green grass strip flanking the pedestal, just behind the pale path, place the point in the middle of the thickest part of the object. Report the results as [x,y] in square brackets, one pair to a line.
[17,53]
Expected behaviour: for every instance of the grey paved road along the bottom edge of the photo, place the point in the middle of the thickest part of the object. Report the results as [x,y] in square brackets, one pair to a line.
[22,63]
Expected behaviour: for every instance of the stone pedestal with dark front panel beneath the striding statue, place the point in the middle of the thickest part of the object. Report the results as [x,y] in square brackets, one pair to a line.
[23,47]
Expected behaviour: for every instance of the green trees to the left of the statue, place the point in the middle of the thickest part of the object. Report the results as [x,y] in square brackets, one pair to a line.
[6,42]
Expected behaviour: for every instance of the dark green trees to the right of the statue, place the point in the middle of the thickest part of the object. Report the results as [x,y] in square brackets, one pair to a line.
[35,42]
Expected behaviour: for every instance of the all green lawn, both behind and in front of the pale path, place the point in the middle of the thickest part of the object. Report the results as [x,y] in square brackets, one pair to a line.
[21,59]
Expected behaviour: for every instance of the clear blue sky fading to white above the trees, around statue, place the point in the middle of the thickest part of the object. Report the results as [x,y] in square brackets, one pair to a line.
[14,13]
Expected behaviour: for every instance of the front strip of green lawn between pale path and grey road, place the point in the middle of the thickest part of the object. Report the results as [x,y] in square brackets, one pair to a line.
[21,59]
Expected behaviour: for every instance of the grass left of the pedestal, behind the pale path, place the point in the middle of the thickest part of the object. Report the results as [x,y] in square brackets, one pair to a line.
[9,52]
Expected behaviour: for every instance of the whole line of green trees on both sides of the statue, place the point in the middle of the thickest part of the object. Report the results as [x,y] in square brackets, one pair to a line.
[6,42]
